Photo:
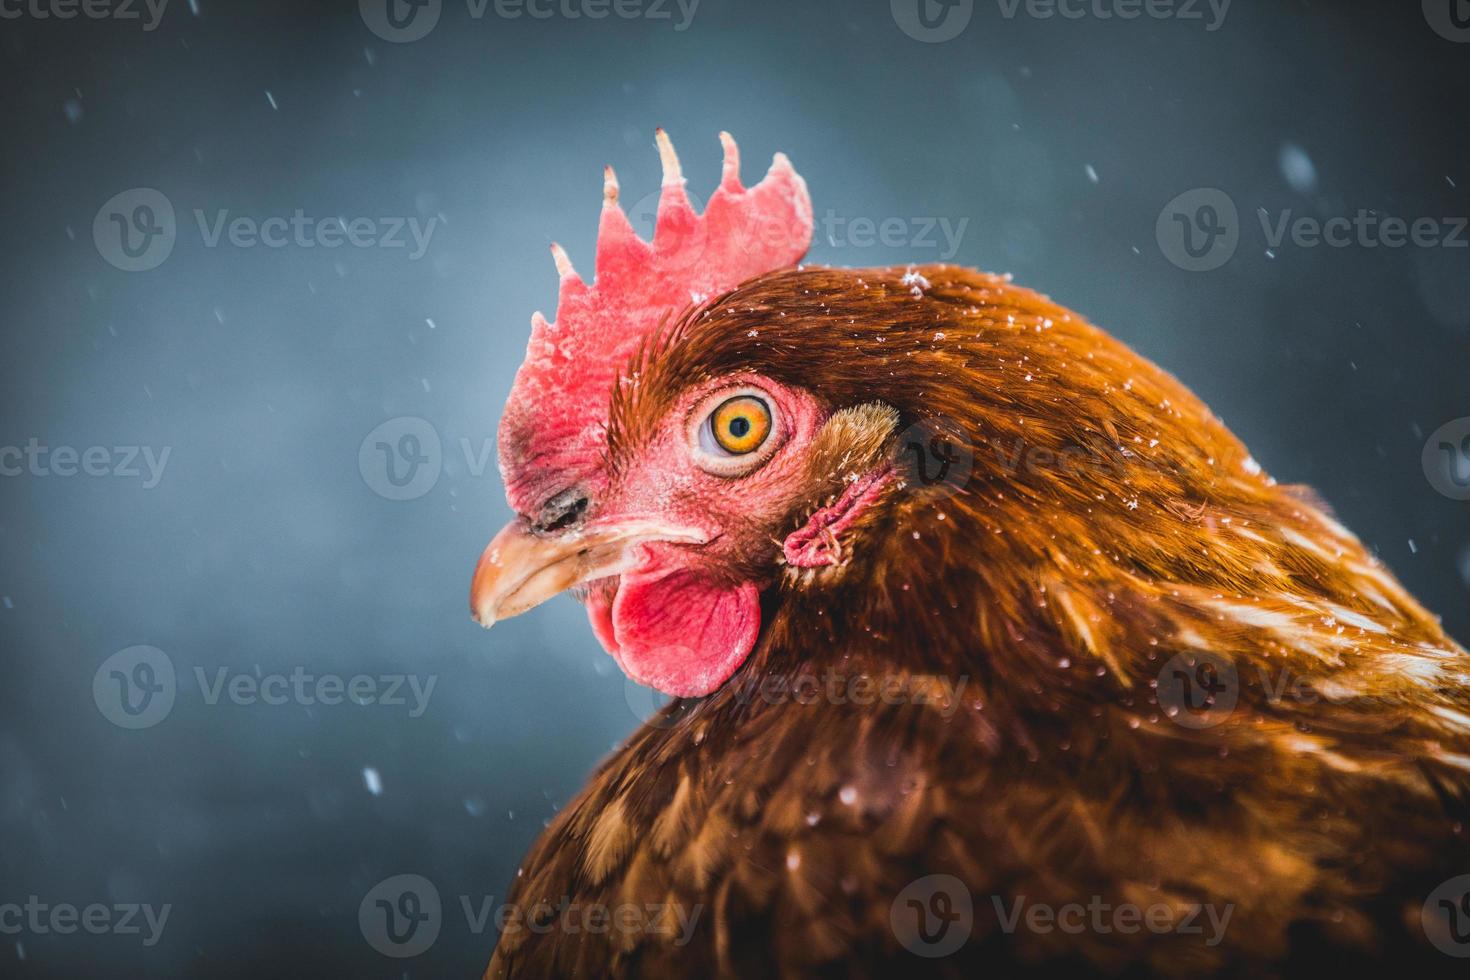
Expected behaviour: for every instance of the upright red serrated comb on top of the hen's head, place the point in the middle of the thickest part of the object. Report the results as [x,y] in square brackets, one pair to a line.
[553,431]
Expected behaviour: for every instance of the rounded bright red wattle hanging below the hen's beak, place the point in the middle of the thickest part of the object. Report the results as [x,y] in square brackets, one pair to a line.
[681,633]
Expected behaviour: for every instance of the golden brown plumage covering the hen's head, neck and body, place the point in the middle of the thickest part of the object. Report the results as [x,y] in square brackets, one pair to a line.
[1111,536]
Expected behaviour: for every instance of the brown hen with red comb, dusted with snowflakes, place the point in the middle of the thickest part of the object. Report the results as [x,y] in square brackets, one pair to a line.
[978,627]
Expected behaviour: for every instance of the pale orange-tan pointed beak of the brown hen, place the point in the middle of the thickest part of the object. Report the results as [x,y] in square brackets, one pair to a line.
[521,571]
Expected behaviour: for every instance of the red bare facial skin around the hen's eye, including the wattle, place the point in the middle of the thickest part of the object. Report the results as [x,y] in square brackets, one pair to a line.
[686,616]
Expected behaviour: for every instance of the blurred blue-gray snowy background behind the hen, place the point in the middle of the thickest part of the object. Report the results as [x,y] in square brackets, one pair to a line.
[273,544]
